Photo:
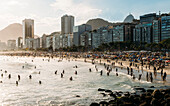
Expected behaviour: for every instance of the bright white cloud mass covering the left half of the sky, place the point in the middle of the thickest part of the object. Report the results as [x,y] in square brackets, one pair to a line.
[46,13]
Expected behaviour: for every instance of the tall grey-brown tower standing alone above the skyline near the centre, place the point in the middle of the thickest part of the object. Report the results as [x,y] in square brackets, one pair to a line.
[67,23]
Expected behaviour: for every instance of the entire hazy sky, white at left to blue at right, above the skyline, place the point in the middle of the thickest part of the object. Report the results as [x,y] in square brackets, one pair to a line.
[47,13]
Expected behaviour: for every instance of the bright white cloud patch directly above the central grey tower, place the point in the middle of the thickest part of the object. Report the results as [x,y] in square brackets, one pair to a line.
[81,10]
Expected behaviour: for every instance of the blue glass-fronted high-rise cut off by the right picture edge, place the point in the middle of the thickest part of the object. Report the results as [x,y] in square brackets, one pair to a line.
[165,27]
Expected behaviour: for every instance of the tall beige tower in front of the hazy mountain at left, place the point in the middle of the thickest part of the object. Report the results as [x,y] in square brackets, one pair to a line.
[28,29]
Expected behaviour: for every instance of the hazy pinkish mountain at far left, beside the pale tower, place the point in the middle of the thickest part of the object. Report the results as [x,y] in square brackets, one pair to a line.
[11,32]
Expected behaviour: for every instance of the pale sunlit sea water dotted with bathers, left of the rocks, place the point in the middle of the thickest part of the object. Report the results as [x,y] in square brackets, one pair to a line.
[55,90]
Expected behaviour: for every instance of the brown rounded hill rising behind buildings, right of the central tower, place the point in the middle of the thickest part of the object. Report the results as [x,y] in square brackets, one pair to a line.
[97,23]
